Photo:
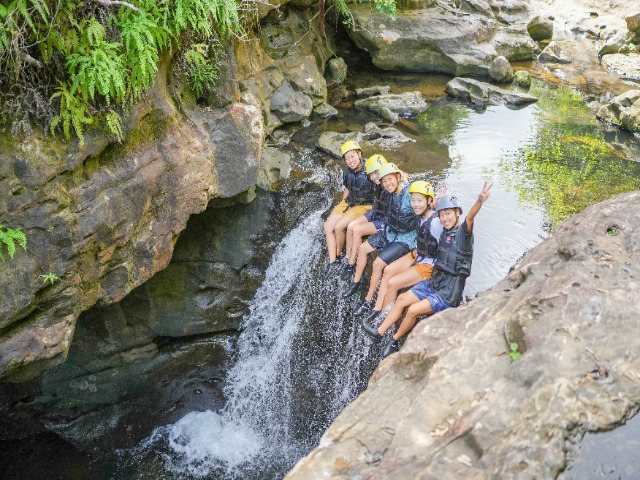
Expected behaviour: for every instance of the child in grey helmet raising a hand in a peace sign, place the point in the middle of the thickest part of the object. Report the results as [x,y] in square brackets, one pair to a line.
[452,267]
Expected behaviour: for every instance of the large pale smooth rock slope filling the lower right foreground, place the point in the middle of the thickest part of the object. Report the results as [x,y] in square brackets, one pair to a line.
[451,404]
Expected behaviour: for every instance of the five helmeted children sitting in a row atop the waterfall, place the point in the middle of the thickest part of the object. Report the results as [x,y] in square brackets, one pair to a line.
[420,240]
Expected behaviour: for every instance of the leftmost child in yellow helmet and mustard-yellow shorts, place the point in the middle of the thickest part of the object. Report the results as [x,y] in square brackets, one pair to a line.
[356,201]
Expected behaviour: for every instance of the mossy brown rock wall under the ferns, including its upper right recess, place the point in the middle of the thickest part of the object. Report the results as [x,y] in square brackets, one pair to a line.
[104,218]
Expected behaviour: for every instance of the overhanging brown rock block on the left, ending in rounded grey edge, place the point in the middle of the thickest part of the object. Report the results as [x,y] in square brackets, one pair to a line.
[104,219]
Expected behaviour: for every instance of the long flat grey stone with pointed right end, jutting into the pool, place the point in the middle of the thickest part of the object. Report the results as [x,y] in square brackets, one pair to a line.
[480,94]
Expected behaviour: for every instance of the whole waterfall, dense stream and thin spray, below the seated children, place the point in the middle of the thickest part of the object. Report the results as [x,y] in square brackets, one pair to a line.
[300,360]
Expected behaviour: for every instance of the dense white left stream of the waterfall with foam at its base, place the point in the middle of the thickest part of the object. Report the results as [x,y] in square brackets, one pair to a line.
[254,423]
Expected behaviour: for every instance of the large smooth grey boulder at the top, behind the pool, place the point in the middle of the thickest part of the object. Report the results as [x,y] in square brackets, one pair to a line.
[440,40]
